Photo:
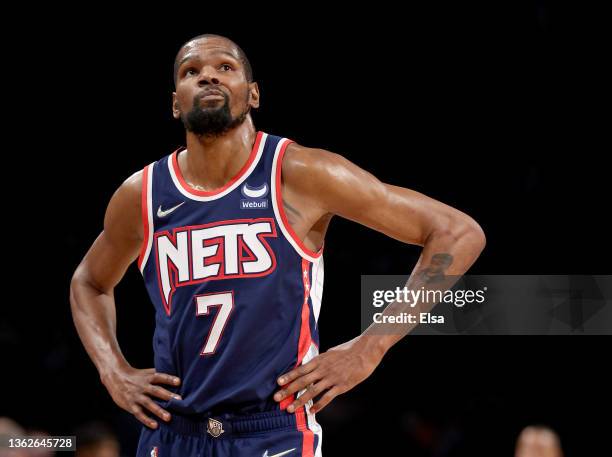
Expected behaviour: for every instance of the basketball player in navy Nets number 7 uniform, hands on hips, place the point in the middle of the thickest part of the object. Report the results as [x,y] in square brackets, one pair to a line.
[228,235]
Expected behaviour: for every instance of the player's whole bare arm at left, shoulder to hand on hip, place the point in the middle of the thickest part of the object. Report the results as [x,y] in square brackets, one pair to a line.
[93,306]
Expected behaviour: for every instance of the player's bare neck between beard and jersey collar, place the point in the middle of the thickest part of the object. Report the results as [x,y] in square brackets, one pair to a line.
[210,162]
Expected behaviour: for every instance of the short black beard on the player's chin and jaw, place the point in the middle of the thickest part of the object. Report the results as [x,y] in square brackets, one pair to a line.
[212,121]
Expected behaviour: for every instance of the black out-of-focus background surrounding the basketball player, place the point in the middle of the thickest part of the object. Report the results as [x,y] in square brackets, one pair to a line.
[495,108]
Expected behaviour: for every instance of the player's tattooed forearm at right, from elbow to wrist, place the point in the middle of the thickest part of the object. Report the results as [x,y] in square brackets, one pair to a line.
[446,256]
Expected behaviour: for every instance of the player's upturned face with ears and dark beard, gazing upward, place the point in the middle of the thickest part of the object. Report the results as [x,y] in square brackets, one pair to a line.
[212,92]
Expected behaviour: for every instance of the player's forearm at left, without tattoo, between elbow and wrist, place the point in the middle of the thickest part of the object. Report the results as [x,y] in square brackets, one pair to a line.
[93,312]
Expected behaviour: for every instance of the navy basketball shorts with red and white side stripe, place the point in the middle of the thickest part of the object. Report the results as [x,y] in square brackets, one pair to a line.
[268,434]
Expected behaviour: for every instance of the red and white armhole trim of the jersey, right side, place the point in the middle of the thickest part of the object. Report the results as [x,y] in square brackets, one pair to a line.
[279,210]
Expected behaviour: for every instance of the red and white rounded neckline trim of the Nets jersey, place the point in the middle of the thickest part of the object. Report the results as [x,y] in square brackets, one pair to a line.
[204,195]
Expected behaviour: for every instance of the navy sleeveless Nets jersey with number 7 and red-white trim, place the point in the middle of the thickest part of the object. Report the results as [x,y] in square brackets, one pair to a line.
[236,293]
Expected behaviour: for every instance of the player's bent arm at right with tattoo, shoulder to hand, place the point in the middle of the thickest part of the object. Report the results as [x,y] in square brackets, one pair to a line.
[451,241]
